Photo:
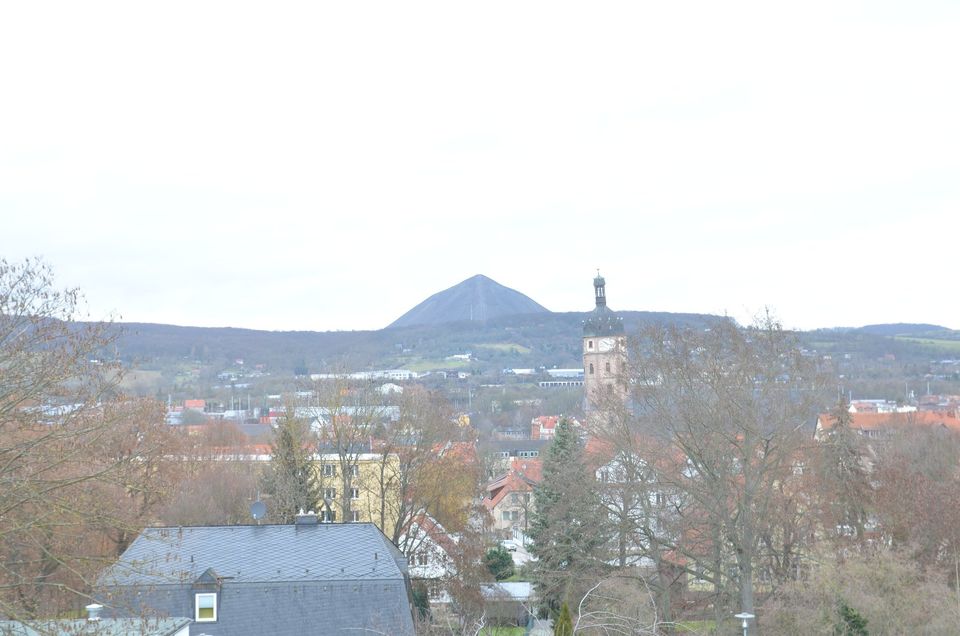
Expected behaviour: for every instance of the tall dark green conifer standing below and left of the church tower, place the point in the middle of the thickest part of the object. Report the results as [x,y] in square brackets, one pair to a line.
[565,522]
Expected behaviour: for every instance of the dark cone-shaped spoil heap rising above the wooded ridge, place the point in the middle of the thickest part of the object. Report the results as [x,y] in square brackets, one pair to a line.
[476,299]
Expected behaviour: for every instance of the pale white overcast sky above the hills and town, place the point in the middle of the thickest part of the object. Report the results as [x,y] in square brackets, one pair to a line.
[329,165]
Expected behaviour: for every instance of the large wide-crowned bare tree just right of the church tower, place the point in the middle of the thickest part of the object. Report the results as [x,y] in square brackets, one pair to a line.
[736,404]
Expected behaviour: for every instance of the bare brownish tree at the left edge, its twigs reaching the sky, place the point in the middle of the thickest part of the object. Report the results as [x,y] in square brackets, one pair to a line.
[79,465]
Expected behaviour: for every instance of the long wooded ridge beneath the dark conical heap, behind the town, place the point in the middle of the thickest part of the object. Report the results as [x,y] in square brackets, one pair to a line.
[526,340]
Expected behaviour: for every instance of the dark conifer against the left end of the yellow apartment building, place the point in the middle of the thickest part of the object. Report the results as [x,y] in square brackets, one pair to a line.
[290,480]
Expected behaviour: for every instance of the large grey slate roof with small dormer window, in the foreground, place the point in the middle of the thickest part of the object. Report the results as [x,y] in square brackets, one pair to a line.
[270,579]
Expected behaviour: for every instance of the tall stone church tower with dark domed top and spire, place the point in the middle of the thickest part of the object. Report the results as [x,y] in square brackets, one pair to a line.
[604,351]
